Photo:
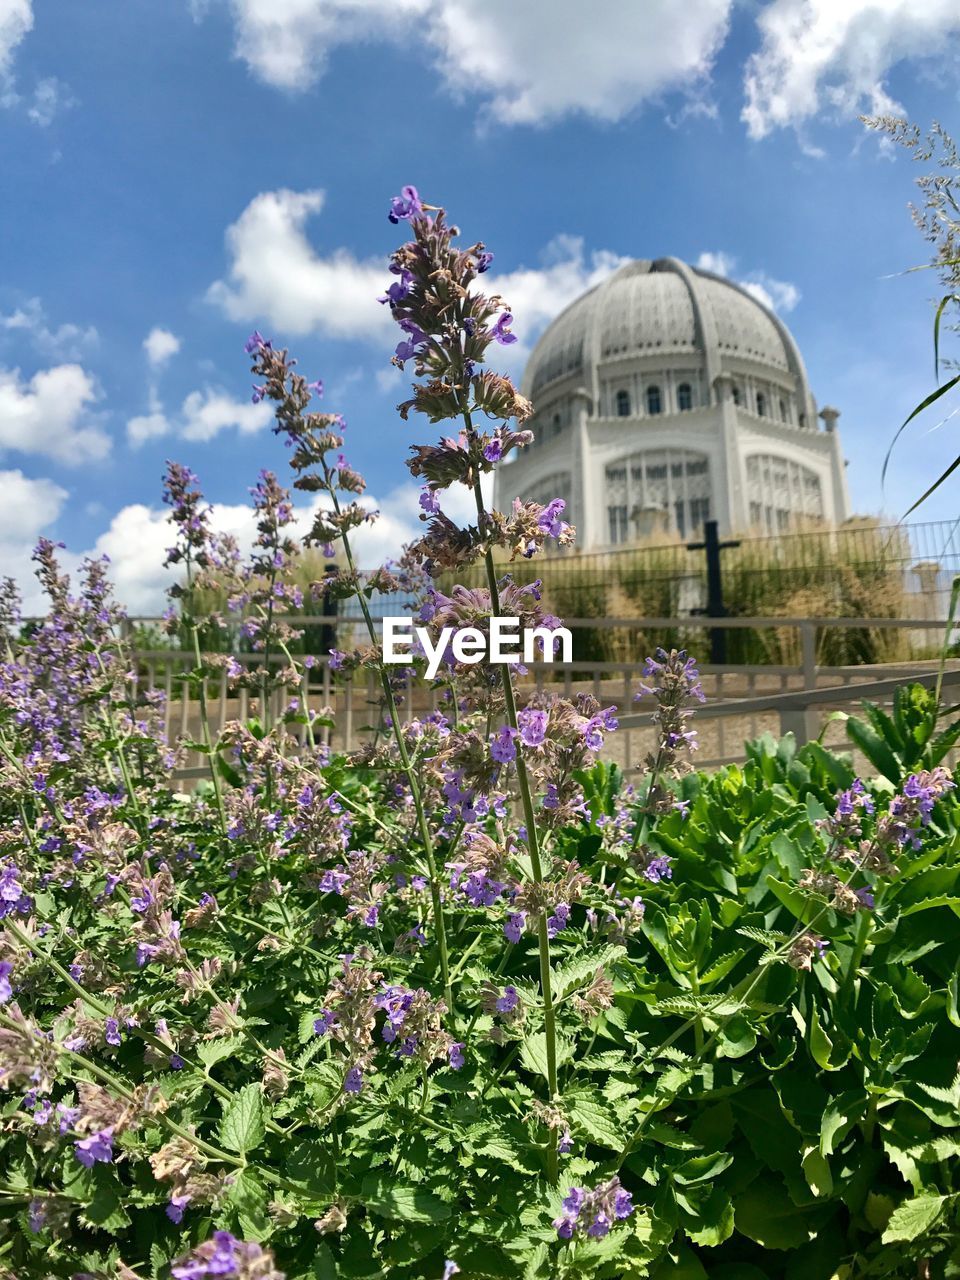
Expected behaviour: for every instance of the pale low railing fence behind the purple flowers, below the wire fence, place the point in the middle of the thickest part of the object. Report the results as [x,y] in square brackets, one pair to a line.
[744,701]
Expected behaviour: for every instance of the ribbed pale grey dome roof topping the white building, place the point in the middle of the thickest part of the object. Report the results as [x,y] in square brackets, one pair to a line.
[669,309]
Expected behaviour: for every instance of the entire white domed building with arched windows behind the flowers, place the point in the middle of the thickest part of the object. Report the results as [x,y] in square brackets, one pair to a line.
[669,396]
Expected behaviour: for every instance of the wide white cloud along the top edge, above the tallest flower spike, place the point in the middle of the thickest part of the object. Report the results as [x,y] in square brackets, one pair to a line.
[531,62]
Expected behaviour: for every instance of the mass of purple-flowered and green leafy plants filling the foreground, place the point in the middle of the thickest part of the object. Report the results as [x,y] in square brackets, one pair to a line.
[465,1002]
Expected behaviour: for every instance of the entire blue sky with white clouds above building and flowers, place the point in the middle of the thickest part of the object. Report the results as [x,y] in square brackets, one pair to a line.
[177,173]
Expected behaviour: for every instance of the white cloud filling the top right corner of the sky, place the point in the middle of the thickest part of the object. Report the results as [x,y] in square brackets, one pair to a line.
[835,56]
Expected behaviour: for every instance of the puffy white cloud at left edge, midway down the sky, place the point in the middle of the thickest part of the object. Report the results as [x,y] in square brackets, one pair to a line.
[51,415]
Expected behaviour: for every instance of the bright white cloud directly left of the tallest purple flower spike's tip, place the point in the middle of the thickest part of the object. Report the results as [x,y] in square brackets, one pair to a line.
[277,276]
